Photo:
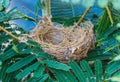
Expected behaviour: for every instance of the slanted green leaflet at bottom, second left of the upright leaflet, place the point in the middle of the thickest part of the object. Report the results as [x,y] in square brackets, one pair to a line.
[77,71]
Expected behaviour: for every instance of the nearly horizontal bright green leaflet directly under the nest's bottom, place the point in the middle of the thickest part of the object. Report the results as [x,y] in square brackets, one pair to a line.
[56,65]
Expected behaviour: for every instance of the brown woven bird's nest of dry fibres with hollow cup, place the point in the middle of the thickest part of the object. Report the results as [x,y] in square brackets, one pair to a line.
[64,44]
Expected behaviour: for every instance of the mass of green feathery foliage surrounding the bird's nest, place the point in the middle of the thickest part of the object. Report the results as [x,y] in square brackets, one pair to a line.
[28,61]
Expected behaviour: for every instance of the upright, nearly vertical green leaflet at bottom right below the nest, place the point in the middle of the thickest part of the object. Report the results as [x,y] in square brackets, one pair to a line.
[98,71]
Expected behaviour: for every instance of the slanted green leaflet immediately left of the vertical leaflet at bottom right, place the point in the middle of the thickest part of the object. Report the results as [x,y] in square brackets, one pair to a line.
[86,68]
